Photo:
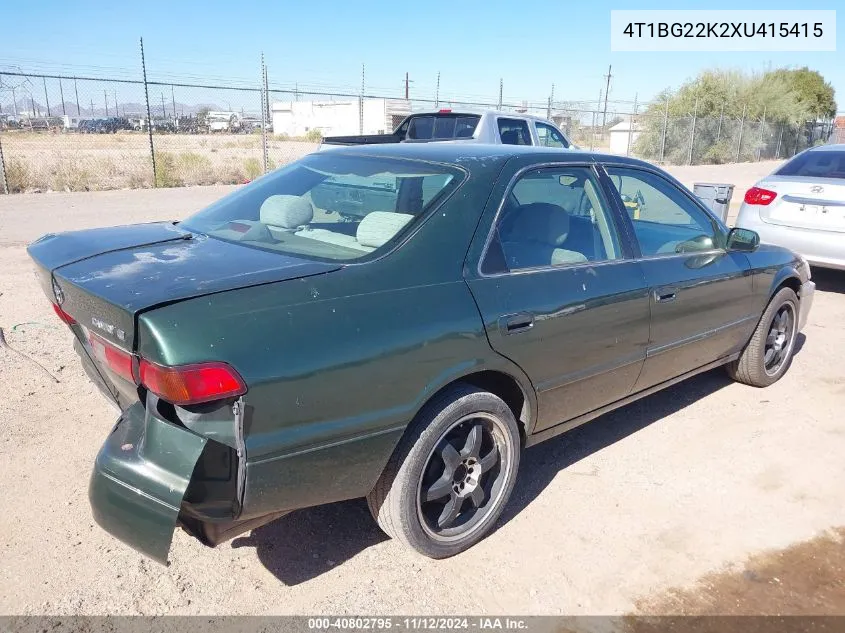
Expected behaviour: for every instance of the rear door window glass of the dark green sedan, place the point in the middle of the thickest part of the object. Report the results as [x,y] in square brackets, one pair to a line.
[555,217]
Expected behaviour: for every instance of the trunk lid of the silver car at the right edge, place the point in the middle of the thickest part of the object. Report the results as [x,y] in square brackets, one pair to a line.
[808,203]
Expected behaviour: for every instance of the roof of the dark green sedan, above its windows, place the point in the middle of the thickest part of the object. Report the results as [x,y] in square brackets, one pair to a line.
[461,153]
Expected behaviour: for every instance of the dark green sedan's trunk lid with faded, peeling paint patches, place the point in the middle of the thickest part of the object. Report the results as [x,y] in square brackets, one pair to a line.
[104,278]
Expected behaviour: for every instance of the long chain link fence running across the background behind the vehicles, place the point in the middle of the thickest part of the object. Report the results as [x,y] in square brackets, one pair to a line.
[67,133]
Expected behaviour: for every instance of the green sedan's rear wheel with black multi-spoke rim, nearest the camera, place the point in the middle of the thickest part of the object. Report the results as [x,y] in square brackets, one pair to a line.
[451,475]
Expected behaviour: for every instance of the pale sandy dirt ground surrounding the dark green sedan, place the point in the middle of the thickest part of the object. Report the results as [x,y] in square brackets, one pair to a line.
[643,510]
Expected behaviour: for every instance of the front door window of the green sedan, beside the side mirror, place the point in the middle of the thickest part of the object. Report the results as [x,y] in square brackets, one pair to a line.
[665,220]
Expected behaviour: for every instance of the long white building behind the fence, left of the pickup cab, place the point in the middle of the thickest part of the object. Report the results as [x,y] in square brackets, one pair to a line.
[338,118]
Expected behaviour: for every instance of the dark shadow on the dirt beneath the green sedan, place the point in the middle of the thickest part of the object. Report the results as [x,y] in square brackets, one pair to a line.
[310,542]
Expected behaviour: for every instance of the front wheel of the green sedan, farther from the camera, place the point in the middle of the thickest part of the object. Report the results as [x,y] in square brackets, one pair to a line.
[768,355]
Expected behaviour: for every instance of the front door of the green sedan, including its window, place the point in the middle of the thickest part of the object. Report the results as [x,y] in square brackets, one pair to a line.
[701,295]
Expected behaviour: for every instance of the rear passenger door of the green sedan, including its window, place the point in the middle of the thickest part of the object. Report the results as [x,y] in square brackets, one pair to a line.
[559,291]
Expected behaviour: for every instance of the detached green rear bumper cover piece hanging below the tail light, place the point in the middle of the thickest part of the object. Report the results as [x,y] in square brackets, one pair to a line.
[140,477]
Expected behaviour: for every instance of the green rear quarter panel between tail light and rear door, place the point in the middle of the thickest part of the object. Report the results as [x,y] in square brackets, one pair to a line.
[338,364]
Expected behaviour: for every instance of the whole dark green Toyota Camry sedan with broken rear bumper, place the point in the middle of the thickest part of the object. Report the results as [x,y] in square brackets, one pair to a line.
[397,323]
